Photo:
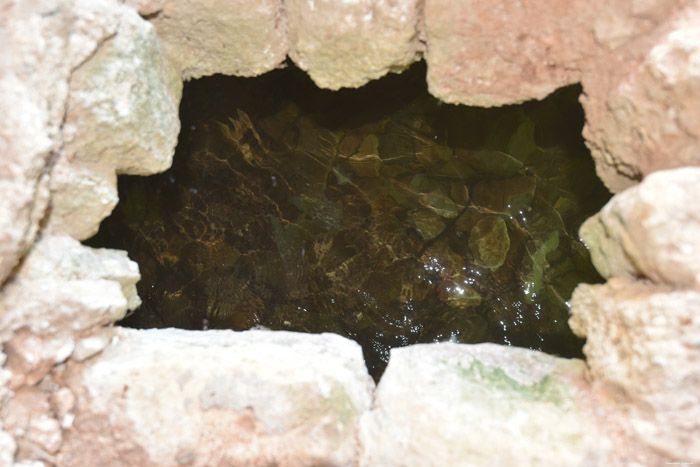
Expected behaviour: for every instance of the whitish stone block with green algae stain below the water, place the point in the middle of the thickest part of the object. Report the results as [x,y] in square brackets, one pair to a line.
[484,404]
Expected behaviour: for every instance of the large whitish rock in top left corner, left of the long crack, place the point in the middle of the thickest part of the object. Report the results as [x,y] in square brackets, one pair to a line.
[42,42]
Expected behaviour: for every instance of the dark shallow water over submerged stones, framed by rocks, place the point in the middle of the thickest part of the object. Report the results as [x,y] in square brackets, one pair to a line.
[379,214]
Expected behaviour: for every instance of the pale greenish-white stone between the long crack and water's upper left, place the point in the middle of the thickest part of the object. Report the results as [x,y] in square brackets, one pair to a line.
[122,115]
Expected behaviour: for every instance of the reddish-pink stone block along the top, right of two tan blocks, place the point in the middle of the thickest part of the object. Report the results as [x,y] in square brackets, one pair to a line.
[495,53]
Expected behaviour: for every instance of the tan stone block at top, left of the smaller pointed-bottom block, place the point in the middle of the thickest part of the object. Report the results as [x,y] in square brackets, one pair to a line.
[239,38]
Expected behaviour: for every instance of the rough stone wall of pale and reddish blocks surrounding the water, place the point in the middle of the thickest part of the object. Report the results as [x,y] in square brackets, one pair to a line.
[90,89]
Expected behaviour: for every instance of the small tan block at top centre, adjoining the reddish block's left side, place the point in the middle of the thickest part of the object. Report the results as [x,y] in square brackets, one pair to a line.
[346,44]
